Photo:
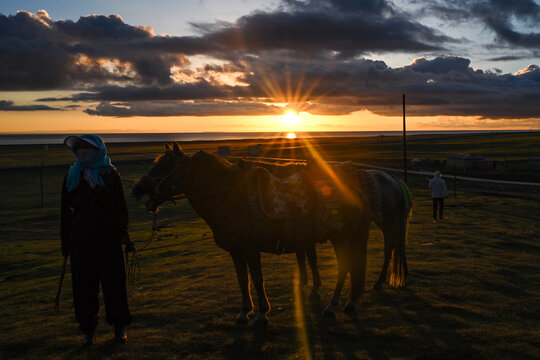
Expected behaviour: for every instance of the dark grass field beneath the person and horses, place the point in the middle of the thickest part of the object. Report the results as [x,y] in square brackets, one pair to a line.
[473,287]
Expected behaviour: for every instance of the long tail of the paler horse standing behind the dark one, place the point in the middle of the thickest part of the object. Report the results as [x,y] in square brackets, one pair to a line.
[399,271]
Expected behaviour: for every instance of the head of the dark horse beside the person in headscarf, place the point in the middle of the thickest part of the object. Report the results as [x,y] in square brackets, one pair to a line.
[165,180]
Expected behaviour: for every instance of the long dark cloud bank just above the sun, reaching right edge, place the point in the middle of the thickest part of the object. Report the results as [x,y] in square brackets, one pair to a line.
[441,86]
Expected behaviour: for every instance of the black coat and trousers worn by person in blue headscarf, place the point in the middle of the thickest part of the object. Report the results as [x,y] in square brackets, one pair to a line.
[93,226]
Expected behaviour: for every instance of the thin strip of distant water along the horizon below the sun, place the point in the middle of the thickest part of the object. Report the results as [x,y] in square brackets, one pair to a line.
[51,139]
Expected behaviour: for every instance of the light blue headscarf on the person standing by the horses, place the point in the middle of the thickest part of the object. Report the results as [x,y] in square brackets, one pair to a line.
[91,169]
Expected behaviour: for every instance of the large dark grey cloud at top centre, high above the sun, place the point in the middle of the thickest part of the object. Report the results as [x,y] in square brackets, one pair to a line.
[349,27]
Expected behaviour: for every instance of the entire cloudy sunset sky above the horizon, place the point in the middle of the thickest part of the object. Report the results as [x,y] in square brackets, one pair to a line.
[279,65]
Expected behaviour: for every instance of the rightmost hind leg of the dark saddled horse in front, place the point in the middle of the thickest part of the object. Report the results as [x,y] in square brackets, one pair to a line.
[358,267]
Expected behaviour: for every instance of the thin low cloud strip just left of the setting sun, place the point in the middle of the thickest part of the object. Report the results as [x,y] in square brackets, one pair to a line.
[175,108]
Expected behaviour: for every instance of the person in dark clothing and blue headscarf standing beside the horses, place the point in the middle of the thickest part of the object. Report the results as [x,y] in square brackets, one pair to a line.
[94,222]
